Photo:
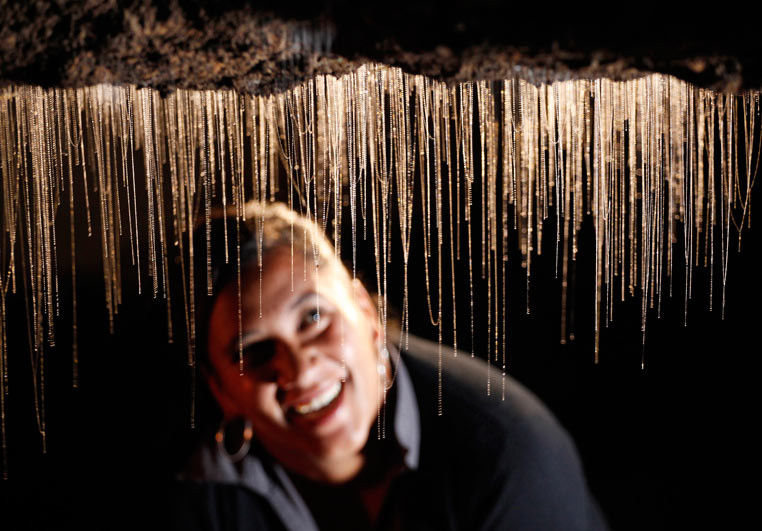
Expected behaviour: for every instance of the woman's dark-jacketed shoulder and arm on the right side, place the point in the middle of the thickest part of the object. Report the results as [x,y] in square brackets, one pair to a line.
[510,460]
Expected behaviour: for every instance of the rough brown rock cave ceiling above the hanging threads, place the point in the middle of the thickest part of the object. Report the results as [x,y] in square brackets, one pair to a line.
[267,46]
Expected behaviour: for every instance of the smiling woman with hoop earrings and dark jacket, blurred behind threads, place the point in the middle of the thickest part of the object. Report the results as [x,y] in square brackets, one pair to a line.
[294,357]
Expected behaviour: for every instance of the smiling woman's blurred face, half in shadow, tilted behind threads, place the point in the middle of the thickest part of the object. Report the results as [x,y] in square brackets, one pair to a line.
[310,382]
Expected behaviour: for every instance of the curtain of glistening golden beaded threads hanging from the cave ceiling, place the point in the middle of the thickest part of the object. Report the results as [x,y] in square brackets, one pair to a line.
[646,158]
